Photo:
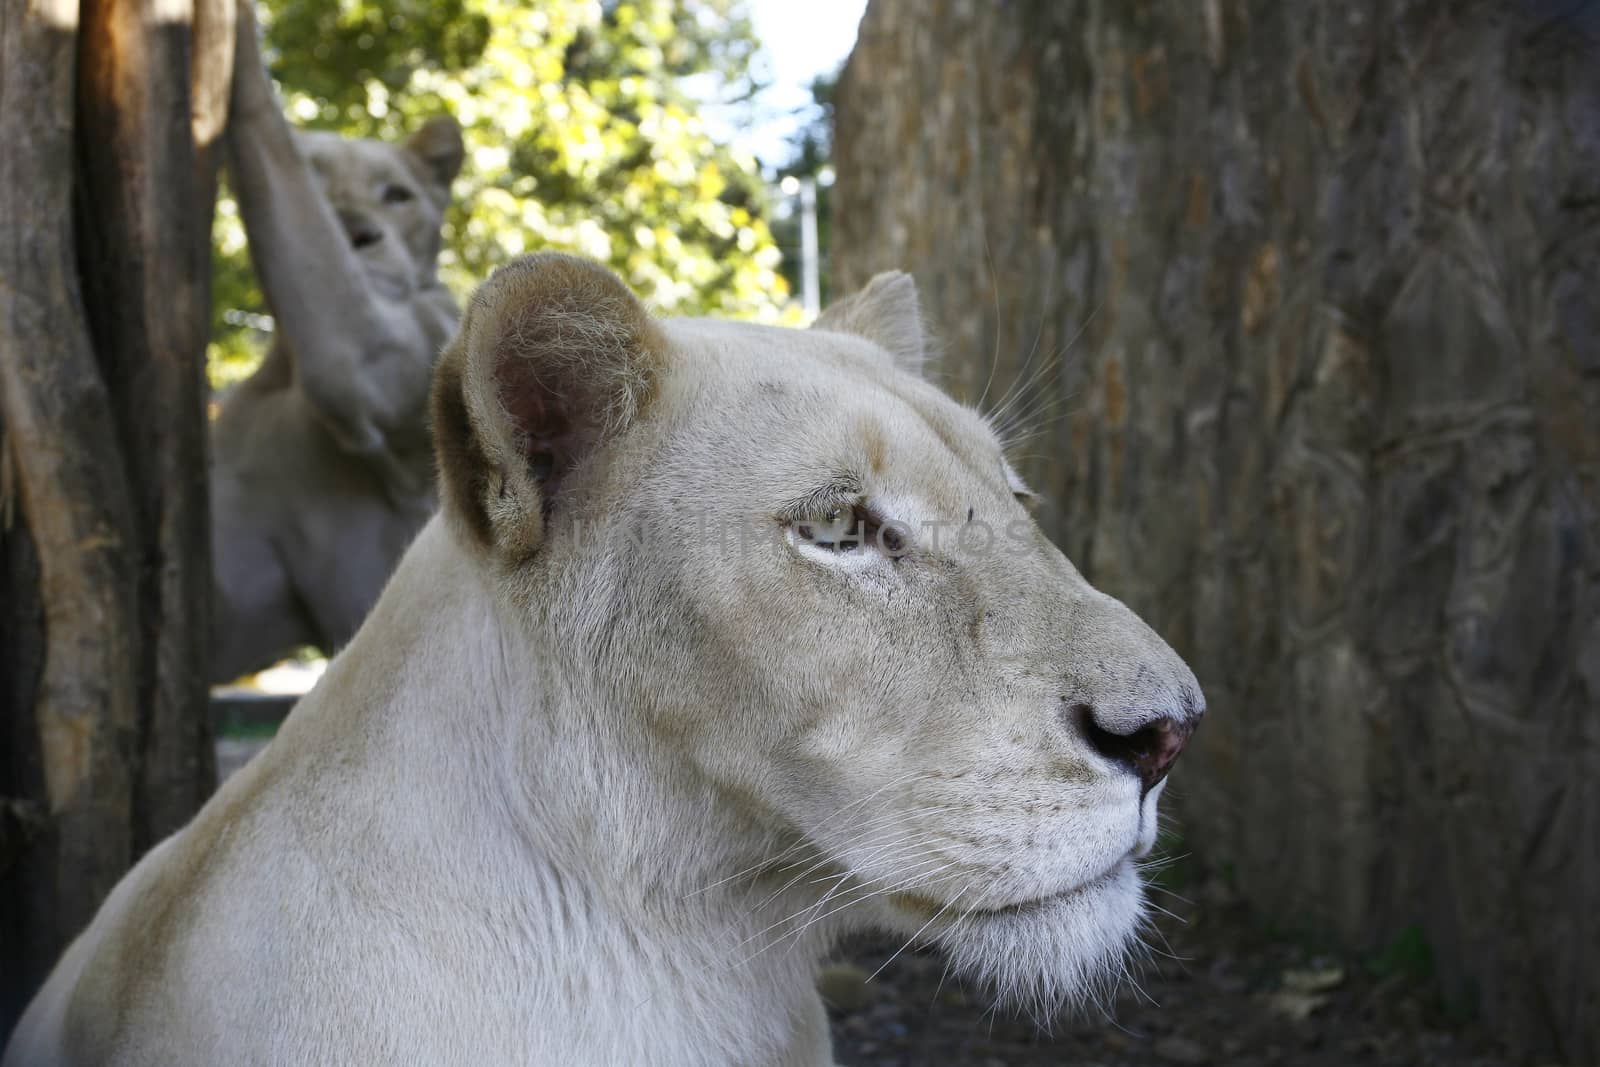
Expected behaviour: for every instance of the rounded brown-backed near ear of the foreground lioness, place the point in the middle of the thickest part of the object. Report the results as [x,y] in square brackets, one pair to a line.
[554,359]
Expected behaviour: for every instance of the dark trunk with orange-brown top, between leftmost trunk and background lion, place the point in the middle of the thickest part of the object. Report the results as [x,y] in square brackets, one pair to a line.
[143,255]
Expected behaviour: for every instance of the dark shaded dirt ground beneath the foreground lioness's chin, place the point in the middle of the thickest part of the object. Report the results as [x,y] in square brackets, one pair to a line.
[1233,997]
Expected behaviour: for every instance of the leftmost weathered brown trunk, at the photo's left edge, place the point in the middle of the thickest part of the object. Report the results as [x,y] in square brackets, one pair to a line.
[71,770]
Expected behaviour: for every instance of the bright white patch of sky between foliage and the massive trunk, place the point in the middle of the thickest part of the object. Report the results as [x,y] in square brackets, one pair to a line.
[801,41]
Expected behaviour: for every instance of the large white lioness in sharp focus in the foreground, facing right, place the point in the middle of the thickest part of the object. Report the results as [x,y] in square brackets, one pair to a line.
[727,641]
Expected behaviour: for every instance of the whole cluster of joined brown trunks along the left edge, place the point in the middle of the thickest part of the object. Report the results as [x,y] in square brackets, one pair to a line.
[105,586]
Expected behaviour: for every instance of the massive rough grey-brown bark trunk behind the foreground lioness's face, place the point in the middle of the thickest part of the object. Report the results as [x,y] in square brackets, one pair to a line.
[1329,420]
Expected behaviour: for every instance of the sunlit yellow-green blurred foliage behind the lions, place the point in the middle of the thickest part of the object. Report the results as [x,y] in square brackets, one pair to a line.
[582,137]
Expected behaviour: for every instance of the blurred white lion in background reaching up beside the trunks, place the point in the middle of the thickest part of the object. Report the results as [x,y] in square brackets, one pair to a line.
[321,466]
